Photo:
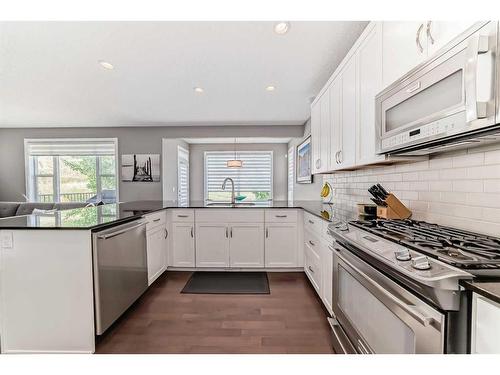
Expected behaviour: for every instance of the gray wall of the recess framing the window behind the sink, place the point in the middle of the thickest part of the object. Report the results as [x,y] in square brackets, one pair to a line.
[197,169]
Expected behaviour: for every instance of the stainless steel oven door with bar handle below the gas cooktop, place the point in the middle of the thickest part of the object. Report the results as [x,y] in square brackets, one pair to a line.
[377,314]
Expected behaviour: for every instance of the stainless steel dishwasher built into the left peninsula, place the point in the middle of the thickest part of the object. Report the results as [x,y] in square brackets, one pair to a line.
[120,270]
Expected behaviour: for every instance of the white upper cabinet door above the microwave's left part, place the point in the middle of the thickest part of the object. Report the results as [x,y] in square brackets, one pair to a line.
[404,47]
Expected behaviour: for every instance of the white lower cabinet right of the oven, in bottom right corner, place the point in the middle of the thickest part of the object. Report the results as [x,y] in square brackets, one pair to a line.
[485,325]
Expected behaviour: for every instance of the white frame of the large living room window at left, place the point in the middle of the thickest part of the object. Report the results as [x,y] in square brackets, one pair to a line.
[30,183]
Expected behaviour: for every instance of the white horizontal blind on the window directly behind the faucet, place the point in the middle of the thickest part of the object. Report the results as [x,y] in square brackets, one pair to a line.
[254,179]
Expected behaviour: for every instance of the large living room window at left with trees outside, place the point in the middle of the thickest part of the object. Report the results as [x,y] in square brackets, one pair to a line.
[71,170]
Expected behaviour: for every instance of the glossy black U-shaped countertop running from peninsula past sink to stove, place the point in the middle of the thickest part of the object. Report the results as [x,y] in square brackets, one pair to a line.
[99,217]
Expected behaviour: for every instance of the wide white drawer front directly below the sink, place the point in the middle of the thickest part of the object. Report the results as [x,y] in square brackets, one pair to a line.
[230,215]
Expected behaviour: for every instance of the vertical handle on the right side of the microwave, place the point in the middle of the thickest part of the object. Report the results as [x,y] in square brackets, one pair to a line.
[477,45]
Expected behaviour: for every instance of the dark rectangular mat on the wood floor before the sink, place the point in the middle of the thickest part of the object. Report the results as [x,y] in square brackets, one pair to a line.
[227,283]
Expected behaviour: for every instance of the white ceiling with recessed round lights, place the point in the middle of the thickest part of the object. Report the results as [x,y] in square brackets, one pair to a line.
[49,75]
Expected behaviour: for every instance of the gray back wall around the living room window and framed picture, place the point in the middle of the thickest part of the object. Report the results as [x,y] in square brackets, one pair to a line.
[130,140]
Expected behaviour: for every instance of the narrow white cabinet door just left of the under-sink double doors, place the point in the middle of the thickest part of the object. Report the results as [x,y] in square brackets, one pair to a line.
[182,245]
